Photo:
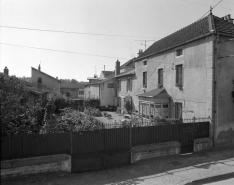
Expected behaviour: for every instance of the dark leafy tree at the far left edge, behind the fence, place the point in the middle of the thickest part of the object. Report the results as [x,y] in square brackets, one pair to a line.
[12,91]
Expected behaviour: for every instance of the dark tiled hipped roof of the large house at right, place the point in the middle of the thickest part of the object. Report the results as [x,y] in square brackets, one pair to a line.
[206,26]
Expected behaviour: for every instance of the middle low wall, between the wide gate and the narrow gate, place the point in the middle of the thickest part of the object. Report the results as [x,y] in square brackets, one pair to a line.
[154,150]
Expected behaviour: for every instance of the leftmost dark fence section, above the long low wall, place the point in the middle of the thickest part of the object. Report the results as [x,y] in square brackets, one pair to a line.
[23,146]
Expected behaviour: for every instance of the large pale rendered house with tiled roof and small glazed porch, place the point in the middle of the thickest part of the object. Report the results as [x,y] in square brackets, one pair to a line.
[190,73]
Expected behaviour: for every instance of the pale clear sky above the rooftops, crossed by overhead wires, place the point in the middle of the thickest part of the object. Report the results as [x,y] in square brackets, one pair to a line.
[93,33]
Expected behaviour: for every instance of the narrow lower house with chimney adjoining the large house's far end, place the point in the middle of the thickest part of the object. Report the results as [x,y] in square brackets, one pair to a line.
[124,80]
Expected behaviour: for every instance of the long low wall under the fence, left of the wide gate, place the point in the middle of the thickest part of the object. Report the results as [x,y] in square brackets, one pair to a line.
[31,165]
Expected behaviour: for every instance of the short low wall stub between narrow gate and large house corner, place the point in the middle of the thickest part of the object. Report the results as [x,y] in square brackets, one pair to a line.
[202,144]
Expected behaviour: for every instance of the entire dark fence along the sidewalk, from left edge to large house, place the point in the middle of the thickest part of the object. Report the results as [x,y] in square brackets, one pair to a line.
[91,143]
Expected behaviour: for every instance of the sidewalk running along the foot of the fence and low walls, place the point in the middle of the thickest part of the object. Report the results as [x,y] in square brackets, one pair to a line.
[181,169]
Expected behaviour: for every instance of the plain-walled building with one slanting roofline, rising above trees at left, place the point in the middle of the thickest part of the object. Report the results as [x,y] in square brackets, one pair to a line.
[48,80]
